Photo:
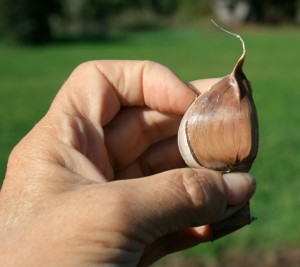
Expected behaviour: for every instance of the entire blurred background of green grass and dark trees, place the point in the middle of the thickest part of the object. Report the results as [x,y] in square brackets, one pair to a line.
[179,35]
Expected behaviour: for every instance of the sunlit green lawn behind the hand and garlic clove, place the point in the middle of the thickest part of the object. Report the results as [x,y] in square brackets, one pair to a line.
[30,78]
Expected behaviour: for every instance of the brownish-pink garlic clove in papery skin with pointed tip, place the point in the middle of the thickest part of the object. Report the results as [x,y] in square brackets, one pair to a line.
[219,131]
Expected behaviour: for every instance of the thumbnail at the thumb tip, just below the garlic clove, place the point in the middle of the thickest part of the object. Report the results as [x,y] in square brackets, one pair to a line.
[239,187]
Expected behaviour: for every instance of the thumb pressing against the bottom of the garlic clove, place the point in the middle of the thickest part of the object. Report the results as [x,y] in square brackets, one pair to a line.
[178,199]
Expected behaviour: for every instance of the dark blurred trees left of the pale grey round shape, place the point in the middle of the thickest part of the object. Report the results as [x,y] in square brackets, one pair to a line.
[38,21]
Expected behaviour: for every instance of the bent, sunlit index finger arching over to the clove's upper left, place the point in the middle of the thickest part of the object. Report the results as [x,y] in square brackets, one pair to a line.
[98,89]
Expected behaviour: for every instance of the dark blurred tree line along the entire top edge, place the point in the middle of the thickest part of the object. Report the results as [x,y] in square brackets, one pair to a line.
[38,21]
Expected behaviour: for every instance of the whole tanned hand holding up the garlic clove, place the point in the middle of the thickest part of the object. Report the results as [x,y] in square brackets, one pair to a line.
[99,180]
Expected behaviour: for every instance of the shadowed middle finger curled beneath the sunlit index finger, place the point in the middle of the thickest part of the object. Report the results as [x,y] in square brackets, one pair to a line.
[134,130]
